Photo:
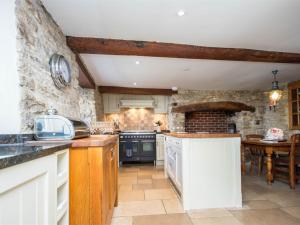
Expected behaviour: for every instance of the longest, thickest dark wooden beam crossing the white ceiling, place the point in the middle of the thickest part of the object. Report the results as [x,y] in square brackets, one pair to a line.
[159,49]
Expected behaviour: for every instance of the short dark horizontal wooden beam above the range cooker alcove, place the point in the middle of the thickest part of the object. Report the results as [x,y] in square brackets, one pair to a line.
[135,91]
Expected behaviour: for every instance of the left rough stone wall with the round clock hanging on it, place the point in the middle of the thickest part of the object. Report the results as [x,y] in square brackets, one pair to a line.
[38,37]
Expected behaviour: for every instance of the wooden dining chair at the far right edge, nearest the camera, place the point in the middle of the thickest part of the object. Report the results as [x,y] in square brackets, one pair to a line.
[287,167]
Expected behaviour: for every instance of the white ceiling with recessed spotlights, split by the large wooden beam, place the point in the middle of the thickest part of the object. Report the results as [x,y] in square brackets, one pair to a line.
[267,25]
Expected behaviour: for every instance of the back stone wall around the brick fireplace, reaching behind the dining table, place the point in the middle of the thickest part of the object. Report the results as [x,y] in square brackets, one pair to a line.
[258,122]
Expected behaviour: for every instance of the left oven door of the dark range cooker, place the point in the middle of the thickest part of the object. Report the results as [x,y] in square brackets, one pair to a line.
[129,150]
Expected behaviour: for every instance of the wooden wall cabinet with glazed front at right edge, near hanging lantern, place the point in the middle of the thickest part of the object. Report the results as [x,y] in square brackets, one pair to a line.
[294,105]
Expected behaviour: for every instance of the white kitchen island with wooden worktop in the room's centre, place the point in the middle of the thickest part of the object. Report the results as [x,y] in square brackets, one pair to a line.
[205,169]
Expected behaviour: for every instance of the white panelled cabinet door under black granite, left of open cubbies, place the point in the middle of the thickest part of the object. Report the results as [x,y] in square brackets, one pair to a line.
[27,193]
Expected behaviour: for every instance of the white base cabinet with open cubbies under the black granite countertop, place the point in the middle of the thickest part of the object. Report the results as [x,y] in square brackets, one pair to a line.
[36,192]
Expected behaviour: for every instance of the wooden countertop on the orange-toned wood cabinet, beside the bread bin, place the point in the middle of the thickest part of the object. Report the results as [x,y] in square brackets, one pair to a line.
[94,141]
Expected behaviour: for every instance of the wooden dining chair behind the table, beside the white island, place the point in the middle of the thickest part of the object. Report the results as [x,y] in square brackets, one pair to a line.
[256,154]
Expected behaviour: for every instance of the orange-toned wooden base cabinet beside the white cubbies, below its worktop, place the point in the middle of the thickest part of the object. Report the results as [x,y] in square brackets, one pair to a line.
[93,184]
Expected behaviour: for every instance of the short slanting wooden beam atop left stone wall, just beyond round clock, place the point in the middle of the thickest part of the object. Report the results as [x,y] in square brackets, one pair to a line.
[85,78]
